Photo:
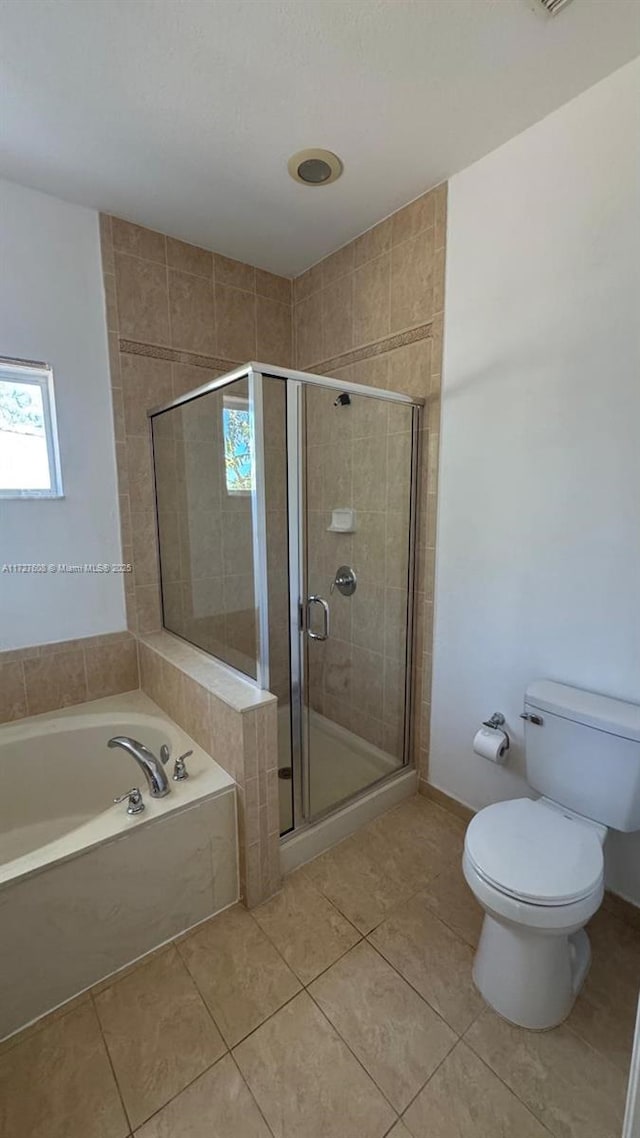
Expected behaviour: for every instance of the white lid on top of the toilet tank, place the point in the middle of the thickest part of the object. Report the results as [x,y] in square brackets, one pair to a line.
[618,718]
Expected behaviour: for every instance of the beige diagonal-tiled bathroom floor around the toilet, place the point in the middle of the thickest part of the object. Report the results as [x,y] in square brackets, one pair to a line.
[342,1009]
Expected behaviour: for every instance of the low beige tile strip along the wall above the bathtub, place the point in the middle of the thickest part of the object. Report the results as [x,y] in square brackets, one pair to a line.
[47,678]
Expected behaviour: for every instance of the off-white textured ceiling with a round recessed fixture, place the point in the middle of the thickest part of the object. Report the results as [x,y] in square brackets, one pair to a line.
[182,114]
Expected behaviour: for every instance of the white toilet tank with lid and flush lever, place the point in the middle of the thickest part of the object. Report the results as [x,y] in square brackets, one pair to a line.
[585,753]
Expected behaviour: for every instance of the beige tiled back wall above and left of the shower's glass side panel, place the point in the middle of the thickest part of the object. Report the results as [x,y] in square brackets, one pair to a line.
[177,317]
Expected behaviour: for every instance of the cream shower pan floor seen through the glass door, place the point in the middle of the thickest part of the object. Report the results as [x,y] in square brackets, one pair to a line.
[342,764]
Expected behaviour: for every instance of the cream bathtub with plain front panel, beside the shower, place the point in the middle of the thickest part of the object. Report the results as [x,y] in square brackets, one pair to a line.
[87,889]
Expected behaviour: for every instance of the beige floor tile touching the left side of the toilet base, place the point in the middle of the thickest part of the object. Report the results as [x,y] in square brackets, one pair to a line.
[433,960]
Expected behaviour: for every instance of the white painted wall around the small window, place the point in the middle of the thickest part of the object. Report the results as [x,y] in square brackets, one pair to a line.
[52,309]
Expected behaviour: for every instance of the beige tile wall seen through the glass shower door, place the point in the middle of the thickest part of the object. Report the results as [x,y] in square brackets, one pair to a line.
[360,456]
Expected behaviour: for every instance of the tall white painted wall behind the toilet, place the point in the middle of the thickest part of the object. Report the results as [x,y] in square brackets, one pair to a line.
[539,515]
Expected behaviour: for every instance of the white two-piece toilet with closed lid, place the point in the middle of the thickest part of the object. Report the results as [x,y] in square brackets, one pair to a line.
[537,868]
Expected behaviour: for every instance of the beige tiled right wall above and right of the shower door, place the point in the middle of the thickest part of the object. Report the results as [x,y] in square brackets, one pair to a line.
[373,314]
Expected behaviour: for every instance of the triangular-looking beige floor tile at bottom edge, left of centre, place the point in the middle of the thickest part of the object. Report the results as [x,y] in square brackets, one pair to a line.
[217,1106]
